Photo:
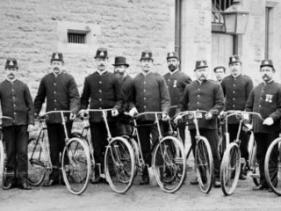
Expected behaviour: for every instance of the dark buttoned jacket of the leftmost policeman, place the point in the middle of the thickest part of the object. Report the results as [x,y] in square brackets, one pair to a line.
[16,102]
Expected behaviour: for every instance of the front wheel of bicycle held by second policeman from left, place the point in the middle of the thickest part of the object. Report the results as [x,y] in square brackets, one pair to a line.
[76,165]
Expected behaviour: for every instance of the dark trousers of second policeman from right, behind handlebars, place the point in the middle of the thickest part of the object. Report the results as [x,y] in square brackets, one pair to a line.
[244,136]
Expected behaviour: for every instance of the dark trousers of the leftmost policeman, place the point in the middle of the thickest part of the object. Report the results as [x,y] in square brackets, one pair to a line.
[16,140]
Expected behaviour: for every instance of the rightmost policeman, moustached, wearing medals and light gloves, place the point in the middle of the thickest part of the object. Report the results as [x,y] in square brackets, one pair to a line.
[265,99]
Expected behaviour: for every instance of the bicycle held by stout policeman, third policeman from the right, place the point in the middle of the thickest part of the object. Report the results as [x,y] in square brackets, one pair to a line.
[203,156]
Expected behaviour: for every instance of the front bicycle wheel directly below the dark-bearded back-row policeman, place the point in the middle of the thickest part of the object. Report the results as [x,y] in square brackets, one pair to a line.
[169,164]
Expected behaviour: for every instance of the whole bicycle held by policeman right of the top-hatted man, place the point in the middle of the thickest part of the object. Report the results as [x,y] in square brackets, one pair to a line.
[168,163]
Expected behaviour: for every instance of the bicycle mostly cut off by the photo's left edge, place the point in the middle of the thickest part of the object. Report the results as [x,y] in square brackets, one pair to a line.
[3,173]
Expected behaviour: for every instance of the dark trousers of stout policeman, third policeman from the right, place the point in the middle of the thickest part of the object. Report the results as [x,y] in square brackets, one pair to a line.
[212,136]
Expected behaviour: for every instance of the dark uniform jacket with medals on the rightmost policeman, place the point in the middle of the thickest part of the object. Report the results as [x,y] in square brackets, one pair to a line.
[266,100]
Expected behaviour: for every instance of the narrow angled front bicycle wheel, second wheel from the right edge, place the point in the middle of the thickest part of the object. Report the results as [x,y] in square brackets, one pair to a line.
[230,169]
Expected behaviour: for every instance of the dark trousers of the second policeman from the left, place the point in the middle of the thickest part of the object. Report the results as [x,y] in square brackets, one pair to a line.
[56,136]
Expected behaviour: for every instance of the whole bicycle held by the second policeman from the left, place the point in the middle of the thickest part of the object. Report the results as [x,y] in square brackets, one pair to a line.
[40,163]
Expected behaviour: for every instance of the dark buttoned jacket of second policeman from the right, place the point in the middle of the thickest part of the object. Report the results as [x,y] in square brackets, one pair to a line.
[236,92]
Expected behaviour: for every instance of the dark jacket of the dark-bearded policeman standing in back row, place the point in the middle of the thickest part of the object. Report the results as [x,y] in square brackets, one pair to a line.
[176,82]
